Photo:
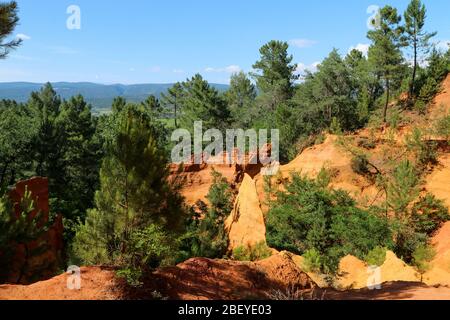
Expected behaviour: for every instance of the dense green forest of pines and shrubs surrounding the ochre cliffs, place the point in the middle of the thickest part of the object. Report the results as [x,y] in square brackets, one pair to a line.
[109,176]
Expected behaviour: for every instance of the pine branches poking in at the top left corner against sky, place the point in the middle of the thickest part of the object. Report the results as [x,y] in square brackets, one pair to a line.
[9,19]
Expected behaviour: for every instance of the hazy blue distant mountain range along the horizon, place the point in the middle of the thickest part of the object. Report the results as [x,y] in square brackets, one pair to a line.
[100,96]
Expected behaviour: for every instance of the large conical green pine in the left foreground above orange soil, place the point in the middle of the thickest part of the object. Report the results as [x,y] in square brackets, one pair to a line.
[137,211]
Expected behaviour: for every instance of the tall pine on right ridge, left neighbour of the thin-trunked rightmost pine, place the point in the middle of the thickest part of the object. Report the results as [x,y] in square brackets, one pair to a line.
[384,54]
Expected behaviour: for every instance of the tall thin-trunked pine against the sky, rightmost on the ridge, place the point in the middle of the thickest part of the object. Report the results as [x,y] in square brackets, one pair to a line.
[416,37]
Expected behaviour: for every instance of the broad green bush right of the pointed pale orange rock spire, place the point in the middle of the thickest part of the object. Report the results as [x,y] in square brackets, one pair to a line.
[307,216]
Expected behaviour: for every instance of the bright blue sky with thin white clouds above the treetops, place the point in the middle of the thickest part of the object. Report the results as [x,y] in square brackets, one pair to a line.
[156,41]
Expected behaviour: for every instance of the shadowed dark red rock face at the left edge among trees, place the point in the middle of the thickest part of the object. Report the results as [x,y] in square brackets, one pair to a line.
[27,266]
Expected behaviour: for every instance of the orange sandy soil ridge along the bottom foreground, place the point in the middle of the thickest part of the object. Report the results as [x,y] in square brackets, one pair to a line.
[204,279]
